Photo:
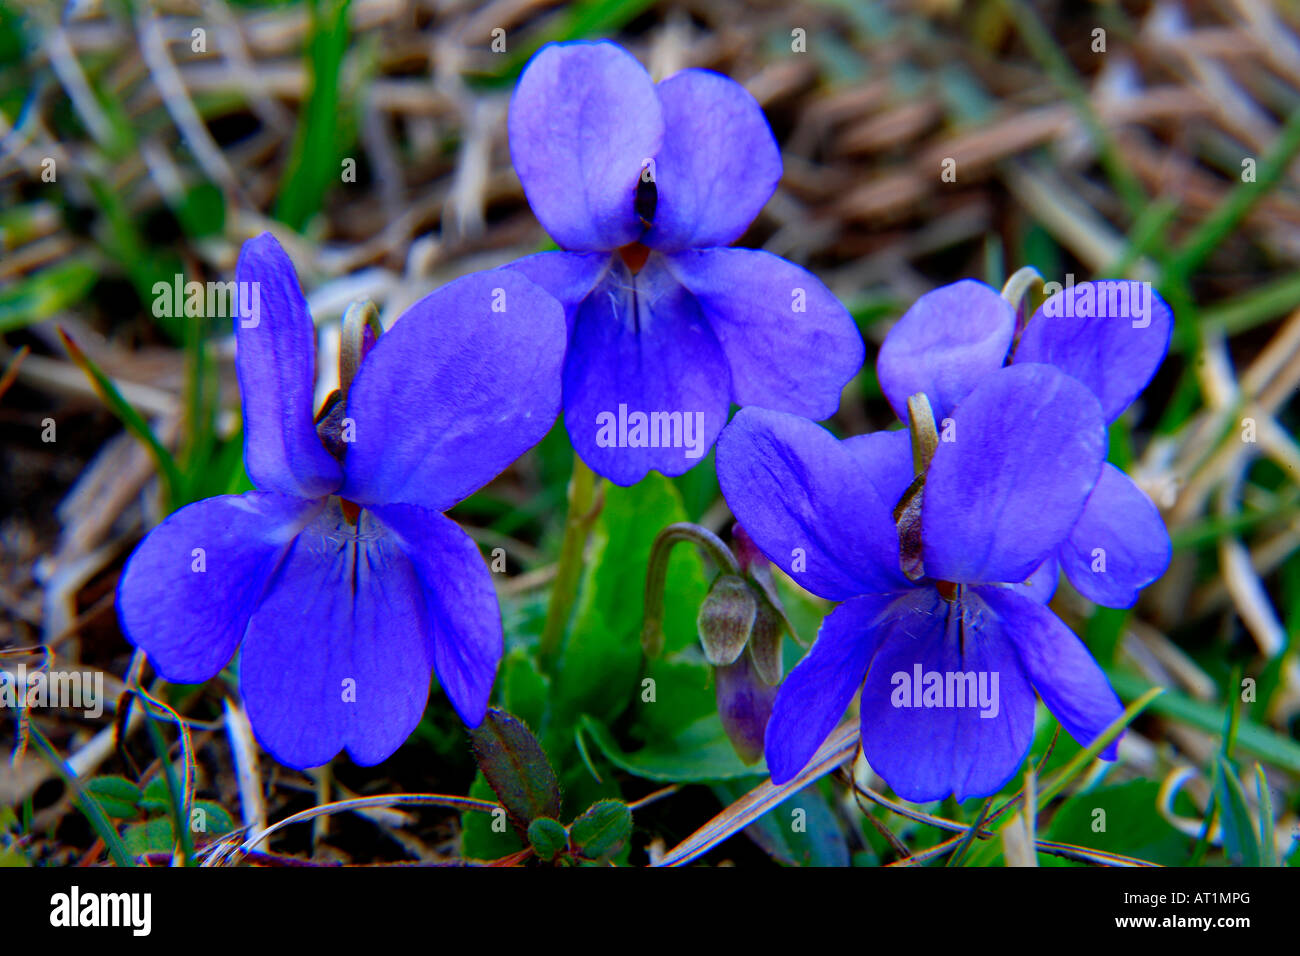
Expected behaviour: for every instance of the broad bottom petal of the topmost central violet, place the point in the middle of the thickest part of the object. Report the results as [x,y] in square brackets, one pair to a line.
[645,382]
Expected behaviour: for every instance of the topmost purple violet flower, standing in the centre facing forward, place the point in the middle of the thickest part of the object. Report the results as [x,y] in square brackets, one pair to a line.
[644,185]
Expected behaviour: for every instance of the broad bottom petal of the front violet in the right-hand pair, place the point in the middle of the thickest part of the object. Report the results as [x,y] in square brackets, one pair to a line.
[973,737]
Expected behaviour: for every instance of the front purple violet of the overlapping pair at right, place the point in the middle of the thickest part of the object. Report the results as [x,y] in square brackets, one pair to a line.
[948,661]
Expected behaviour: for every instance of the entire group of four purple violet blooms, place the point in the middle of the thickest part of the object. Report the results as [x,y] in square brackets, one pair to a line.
[346,586]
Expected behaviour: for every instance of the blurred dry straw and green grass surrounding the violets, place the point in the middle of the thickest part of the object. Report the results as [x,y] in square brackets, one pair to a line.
[924,142]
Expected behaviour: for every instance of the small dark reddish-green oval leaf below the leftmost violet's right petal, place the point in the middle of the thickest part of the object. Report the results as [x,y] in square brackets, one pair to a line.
[517,768]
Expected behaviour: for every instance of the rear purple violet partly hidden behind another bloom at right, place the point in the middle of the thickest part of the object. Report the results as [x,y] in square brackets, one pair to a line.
[1112,336]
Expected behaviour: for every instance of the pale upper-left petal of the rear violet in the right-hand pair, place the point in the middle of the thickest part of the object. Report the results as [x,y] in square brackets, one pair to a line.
[944,345]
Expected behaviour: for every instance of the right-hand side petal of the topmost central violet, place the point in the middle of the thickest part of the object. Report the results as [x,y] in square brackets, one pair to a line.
[791,344]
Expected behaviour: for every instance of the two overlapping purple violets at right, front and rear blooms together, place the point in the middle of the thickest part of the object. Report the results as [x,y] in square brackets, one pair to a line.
[943,625]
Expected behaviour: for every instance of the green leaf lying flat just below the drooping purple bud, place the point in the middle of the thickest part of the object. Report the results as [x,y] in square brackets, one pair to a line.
[701,752]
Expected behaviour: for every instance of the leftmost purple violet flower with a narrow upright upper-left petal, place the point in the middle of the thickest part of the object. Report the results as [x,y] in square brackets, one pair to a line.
[341,578]
